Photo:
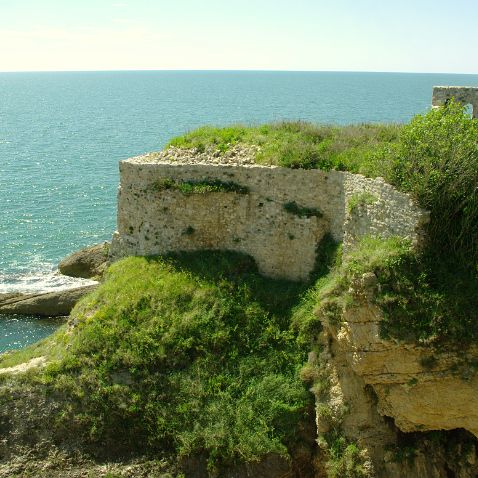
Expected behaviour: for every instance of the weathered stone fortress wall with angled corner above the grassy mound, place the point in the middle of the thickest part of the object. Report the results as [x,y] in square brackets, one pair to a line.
[154,220]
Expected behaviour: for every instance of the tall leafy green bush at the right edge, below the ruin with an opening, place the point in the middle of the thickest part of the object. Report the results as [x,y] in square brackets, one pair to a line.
[436,160]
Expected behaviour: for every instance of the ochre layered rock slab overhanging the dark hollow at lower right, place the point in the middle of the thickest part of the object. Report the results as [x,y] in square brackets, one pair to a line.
[421,389]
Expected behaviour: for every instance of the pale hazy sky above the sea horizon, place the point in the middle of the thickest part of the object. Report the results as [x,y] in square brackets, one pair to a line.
[305,35]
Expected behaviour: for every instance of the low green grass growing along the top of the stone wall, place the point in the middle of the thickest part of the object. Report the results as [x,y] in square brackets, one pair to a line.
[302,145]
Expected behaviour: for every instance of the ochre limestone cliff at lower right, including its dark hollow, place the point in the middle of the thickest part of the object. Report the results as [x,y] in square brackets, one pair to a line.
[381,391]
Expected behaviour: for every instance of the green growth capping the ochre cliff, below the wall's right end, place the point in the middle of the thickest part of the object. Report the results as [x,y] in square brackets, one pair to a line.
[414,310]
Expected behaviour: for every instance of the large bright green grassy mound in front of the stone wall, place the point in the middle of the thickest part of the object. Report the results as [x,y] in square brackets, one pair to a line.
[187,355]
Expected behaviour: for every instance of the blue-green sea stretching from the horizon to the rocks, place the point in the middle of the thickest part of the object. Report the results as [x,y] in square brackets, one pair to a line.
[62,135]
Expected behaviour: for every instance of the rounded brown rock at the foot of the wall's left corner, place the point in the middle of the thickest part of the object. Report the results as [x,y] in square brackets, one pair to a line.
[86,263]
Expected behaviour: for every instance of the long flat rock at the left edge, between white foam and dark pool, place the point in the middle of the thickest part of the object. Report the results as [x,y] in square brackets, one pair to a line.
[49,304]
